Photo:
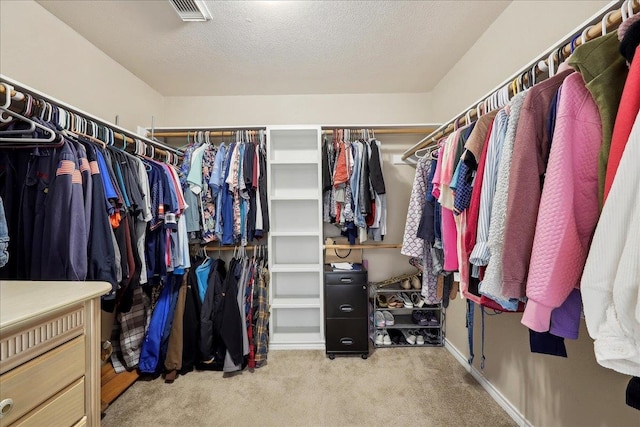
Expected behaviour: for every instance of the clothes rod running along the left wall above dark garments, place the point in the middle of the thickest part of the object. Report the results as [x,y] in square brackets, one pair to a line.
[119,133]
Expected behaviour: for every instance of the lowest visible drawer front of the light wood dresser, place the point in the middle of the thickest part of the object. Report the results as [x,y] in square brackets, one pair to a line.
[64,409]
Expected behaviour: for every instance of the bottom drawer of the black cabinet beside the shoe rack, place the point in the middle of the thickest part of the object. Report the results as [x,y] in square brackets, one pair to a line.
[347,336]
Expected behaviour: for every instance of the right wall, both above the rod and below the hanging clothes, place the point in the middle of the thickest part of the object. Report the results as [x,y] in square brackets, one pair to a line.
[546,390]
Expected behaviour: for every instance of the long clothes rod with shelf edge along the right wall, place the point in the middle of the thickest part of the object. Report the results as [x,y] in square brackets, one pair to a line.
[610,17]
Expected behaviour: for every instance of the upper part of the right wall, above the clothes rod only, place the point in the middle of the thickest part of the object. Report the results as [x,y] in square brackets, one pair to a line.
[523,31]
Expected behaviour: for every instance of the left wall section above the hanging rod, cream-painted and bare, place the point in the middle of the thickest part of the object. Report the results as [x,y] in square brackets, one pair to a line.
[39,50]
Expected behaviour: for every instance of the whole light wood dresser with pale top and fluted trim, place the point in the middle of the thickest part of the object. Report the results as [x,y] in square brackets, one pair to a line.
[49,353]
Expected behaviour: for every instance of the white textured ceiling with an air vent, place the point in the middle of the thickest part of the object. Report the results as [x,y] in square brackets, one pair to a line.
[284,47]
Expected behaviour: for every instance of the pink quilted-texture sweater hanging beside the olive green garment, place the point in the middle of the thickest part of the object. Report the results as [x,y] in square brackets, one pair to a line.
[569,206]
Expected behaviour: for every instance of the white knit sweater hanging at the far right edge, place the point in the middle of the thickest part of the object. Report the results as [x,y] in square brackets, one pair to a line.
[611,278]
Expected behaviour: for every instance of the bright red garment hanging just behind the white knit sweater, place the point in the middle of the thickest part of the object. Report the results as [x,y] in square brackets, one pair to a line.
[627,112]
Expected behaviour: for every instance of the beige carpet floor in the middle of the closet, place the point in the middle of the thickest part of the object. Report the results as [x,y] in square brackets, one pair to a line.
[399,386]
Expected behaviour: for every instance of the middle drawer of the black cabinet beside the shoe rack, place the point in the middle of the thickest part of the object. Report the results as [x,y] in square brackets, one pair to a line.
[346,301]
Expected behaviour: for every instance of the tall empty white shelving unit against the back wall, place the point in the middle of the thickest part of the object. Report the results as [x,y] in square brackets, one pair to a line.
[295,240]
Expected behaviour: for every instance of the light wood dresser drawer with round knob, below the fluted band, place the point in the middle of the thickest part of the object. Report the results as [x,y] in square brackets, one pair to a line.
[31,384]
